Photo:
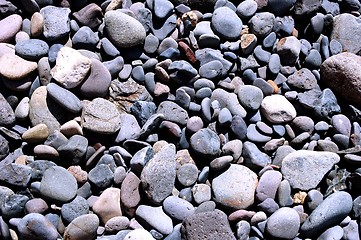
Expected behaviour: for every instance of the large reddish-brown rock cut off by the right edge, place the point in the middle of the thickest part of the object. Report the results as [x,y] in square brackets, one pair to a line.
[342,73]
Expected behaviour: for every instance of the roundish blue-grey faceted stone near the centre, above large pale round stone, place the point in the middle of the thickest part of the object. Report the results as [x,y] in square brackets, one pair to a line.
[205,143]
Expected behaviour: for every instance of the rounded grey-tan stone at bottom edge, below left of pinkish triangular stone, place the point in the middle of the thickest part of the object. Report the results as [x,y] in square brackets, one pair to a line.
[82,227]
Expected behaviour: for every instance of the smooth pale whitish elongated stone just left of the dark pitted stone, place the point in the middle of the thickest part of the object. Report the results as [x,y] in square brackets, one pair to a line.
[147,214]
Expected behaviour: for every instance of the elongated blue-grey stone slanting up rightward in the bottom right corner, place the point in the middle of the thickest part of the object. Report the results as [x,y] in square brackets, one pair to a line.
[329,213]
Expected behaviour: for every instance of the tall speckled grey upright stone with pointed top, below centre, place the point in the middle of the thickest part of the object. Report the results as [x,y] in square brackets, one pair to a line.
[158,176]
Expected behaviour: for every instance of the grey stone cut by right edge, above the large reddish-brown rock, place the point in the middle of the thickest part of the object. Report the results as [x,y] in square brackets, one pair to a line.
[345,28]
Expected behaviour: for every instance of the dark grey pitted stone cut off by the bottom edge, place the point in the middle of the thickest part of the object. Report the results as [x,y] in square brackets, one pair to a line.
[209,225]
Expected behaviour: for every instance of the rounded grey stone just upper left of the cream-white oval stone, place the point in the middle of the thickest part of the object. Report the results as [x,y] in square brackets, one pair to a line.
[250,96]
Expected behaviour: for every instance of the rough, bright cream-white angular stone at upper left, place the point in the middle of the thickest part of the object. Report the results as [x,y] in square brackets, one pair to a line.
[71,67]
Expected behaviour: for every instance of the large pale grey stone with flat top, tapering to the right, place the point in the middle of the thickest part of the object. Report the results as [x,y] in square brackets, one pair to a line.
[305,169]
